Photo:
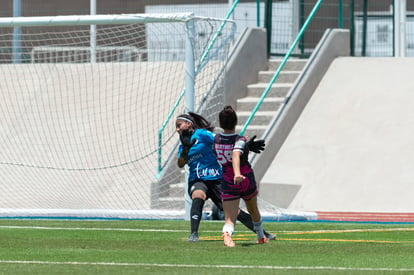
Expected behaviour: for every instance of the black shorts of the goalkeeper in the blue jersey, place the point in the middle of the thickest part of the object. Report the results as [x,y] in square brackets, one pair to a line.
[212,188]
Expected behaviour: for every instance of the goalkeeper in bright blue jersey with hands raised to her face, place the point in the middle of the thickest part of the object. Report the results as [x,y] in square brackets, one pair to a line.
[204,180]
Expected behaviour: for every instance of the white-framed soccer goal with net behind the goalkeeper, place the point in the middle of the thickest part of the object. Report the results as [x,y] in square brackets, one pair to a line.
[88,105]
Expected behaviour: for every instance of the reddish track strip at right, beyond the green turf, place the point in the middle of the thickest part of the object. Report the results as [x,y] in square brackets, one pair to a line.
[365,216]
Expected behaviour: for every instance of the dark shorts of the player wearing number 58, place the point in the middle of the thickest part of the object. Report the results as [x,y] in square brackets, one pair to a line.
[246,190]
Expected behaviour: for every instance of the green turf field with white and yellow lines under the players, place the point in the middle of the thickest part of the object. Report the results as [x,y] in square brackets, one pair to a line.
[161,247]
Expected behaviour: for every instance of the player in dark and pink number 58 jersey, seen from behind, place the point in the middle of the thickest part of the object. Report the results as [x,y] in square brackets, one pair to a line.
[238,177]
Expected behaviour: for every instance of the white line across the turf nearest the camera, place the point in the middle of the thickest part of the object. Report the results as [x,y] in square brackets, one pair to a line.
[213,266]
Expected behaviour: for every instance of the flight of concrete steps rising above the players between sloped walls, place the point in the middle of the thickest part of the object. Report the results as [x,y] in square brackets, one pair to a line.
[274,99]
